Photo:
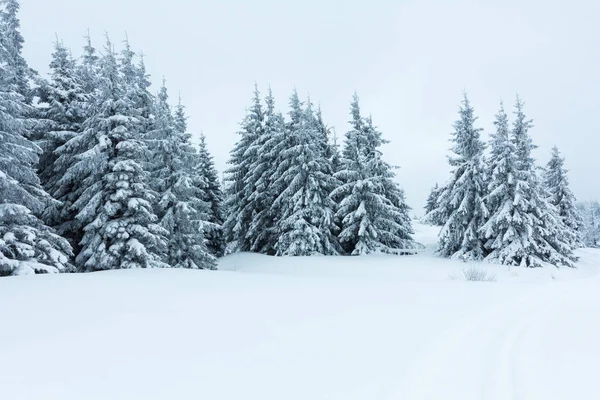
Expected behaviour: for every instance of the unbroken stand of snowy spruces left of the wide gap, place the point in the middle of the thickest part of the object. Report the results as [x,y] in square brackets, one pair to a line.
[97,172]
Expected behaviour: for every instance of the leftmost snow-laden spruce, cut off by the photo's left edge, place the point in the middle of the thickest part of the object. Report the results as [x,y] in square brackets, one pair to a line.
[27,245]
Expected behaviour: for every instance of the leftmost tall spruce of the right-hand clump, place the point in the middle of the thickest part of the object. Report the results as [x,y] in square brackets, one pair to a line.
[460,204]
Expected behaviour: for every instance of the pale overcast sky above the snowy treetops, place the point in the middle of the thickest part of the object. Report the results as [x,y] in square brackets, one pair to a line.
[408,60]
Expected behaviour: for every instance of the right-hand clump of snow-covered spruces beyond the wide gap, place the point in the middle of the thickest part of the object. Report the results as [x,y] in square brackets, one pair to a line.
[498,205]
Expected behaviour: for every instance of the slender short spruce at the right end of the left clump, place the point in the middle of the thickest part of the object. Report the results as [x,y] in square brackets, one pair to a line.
[213,197]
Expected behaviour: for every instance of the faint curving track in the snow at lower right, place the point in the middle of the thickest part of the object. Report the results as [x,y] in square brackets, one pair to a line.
[479,359]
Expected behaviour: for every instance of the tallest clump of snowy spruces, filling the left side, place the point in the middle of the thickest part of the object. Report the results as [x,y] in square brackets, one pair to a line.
[96,172]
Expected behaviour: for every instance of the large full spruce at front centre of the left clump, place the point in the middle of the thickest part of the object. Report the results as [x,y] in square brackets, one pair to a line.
[115,205]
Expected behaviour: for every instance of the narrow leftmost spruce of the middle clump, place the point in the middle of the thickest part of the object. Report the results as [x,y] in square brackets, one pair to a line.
[238,189]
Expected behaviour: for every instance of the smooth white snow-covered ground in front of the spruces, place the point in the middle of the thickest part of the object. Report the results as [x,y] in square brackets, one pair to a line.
[382,327]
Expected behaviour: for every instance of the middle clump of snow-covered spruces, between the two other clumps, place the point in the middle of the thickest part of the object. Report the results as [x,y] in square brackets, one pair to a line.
[290,192]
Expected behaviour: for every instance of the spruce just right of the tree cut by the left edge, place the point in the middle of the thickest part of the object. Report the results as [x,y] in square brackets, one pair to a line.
[62,112]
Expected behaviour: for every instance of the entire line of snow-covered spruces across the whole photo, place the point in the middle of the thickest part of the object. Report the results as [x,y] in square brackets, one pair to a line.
[97,172]
